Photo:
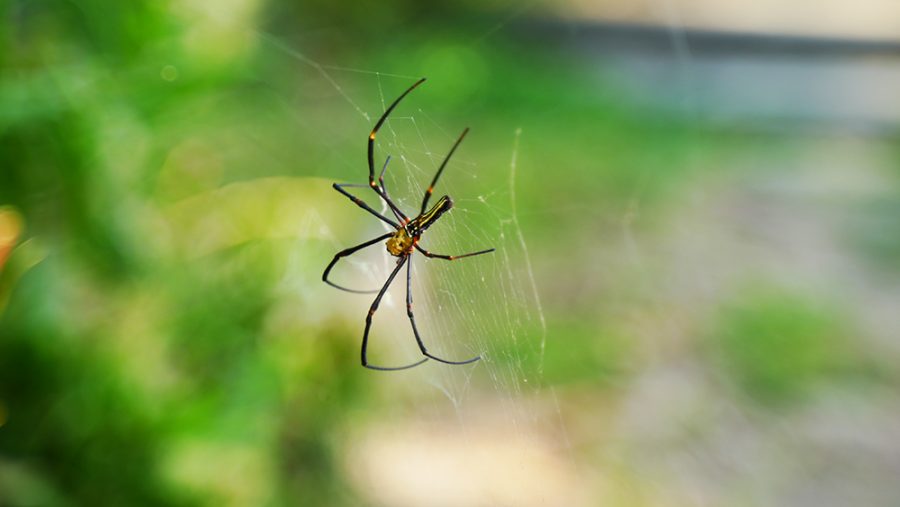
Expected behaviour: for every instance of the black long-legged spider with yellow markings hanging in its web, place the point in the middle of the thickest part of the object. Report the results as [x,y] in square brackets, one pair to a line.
[401,242]
